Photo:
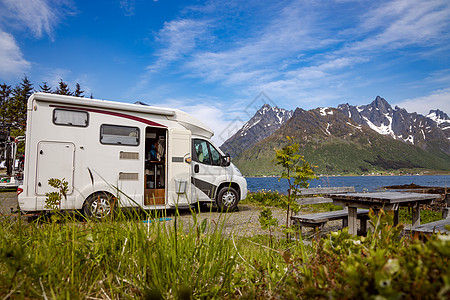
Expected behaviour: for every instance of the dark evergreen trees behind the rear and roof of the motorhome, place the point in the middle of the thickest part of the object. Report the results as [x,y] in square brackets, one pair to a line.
[13,100]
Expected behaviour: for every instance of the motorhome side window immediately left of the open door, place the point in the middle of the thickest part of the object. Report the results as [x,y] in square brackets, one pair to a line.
[119,135]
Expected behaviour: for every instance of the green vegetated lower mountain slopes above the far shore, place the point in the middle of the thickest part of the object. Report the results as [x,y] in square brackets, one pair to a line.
[353,156]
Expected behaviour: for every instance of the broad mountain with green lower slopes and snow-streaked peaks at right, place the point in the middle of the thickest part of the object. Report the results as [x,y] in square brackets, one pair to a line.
[338,144]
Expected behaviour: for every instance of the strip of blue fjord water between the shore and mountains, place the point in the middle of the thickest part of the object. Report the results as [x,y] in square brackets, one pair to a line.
[361,183]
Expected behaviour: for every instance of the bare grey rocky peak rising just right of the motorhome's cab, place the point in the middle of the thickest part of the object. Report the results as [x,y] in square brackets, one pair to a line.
[265,122]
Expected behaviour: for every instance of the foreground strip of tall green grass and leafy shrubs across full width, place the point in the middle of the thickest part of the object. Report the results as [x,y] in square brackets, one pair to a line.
[126,258]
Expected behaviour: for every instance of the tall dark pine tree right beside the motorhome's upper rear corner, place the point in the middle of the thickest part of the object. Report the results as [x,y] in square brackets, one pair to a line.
[17,108]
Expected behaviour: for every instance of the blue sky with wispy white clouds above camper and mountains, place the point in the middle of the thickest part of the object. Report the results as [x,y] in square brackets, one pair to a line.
[220,60]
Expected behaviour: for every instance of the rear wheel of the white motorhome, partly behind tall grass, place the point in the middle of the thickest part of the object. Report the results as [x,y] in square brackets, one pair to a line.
[99,205]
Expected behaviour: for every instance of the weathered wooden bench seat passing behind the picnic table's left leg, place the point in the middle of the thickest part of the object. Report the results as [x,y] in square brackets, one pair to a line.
[318,220]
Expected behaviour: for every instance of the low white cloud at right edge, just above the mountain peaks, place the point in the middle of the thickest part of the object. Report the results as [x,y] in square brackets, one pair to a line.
[422,105]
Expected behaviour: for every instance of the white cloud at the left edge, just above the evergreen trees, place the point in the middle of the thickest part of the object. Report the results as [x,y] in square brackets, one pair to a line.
[12,62]
